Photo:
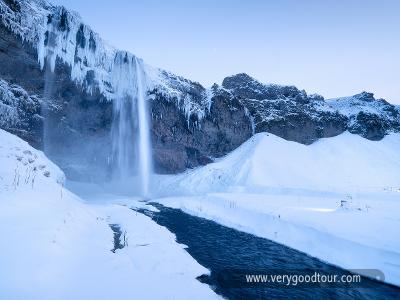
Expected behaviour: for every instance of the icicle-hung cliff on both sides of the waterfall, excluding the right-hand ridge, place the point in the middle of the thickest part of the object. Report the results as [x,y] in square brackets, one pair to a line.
[72,89]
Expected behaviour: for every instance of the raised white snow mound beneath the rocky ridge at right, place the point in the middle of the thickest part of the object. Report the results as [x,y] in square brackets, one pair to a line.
[343,163]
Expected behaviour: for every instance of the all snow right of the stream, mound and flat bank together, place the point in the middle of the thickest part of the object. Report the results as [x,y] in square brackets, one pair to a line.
[337,199]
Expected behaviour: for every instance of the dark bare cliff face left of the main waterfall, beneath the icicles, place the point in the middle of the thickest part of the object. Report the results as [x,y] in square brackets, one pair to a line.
[75,119]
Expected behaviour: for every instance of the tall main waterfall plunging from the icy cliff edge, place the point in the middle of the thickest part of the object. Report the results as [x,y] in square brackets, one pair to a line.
[131,146]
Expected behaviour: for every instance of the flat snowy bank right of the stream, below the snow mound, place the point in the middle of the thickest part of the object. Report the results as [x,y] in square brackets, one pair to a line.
[360,236]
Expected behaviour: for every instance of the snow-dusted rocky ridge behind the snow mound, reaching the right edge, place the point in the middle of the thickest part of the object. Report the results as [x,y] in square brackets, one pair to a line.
[292,114]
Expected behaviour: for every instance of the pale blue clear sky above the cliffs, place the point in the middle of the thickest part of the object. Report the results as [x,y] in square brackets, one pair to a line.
[332,47]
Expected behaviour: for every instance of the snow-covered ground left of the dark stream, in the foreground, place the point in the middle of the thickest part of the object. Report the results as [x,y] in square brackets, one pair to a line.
[56,246]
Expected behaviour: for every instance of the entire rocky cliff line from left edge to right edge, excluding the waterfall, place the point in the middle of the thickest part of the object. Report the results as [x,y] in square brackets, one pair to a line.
[58,82]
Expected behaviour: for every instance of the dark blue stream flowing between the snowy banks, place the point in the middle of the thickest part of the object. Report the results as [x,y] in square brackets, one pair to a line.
[225,251]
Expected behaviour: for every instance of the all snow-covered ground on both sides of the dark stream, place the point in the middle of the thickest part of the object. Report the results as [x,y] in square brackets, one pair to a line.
[337,199]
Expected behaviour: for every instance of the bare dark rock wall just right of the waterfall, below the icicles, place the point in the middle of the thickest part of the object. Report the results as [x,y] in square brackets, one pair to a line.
[179,144]
